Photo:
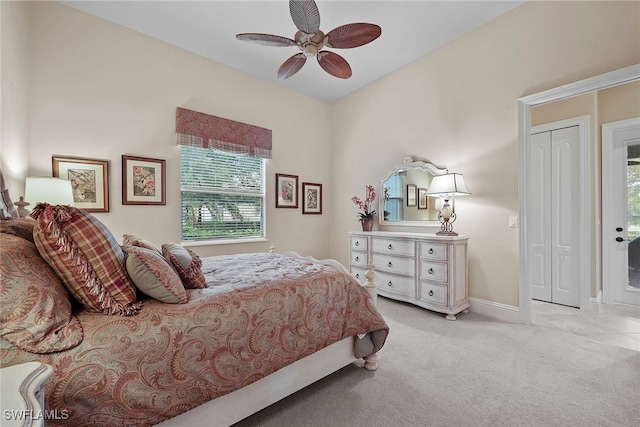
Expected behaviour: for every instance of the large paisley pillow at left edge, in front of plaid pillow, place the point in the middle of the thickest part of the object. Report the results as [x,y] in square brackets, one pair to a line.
[35,312]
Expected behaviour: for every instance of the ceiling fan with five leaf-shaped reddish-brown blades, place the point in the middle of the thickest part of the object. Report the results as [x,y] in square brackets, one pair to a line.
[310,40]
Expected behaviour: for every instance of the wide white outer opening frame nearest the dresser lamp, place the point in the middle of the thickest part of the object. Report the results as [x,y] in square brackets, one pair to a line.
[613,78]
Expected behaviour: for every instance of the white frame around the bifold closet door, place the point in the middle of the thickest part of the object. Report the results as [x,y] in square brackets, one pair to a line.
[584,226]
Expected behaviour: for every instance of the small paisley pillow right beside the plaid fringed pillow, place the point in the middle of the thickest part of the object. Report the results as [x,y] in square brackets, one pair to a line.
[153,275]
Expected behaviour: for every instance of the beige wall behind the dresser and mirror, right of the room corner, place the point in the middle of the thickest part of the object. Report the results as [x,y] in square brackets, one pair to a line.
[457,107]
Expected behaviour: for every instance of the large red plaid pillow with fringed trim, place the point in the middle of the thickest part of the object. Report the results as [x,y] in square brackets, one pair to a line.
[86,256]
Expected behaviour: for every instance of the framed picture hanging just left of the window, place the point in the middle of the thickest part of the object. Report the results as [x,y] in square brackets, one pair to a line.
[143,181]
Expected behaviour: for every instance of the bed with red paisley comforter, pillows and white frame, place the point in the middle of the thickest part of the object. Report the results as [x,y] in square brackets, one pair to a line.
[242,332]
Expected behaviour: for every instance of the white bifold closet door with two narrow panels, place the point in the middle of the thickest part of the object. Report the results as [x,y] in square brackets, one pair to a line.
[554,252]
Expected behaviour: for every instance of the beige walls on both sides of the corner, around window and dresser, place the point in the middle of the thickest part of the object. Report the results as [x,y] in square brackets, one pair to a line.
[100,91]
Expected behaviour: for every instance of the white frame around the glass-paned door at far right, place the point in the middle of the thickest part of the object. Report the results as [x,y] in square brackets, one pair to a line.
[608,130]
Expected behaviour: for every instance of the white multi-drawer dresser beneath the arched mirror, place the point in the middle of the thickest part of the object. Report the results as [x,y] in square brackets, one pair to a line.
[423,269]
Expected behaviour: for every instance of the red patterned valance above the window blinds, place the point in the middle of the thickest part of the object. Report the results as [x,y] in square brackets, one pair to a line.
[206,131]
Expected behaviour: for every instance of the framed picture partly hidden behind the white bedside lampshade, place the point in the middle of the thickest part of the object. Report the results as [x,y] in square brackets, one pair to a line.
[89,181]
